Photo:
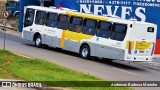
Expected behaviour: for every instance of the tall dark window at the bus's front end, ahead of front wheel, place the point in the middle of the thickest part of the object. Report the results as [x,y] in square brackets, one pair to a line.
[29,17]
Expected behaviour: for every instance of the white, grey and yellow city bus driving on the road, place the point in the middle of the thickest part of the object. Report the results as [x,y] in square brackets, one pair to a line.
[90,35]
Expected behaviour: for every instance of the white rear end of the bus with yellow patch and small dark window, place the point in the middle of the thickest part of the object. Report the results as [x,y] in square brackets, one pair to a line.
[141,42]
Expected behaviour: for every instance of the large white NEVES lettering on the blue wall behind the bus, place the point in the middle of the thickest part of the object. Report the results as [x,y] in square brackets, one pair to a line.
[126,11]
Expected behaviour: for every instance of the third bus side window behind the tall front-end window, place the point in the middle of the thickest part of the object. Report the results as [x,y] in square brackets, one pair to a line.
[63,22]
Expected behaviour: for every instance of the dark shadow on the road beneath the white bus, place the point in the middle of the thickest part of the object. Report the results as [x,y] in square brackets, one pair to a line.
[113,63]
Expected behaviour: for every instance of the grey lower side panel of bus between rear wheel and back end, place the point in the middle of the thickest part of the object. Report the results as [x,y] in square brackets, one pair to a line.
[103,51]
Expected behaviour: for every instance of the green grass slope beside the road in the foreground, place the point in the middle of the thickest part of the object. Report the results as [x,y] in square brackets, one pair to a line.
[40,70]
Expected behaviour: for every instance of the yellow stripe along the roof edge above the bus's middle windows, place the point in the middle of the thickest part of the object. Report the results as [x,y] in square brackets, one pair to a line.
[88,16]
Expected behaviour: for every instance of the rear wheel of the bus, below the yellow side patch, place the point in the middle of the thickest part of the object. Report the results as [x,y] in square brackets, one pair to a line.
[85,52]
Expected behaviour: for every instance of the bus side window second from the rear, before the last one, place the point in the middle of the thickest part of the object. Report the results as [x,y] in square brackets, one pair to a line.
[104,29]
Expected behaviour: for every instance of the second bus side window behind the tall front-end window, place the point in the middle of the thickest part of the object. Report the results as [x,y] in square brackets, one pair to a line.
[52,19]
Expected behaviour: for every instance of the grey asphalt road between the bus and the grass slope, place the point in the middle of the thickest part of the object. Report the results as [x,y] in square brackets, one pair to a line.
[113,71]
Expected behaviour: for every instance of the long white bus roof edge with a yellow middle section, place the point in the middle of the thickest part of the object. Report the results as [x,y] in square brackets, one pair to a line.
[85,15]
